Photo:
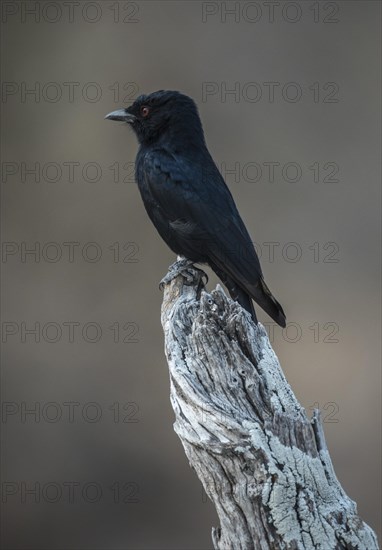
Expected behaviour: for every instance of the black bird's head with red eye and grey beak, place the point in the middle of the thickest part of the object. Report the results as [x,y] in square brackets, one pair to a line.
[162,113]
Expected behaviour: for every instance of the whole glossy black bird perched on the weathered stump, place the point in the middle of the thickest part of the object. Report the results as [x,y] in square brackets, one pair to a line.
[188,200]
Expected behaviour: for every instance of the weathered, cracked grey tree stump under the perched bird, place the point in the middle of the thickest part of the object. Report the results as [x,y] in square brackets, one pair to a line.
[261,460]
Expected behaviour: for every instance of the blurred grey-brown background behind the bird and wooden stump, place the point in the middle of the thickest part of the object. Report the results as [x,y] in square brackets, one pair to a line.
[100,453]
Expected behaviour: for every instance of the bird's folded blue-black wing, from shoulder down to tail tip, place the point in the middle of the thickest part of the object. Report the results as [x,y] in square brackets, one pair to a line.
[192,201]
